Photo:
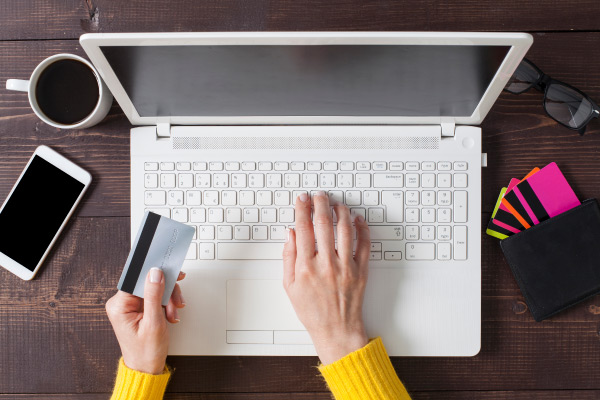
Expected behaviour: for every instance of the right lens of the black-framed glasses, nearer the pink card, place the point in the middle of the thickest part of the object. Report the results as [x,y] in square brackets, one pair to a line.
[567,106]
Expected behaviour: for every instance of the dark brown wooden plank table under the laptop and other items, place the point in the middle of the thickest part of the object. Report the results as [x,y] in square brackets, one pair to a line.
[55,339]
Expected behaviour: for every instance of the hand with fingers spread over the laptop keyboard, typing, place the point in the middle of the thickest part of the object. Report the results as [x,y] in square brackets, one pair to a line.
[327,287]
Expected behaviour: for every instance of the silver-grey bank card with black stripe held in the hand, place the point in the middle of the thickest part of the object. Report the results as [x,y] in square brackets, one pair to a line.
[162,243]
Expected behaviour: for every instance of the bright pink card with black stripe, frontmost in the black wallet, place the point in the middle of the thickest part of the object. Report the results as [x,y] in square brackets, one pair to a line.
[543,195]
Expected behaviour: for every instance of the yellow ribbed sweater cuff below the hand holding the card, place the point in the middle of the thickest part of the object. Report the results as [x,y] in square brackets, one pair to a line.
[135,385]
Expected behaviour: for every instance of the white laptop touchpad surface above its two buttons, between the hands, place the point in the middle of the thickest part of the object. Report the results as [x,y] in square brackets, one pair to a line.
[259,305]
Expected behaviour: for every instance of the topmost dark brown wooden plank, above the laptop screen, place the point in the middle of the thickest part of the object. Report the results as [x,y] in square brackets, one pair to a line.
[67,19]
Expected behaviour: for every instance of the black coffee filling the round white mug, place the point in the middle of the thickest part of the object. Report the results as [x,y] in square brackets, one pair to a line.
[67,91]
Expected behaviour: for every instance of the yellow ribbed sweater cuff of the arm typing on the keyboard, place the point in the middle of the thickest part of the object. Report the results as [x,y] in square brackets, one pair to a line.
[366,374]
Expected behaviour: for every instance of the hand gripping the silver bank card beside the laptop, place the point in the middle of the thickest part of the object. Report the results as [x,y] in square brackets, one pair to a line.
[141,324]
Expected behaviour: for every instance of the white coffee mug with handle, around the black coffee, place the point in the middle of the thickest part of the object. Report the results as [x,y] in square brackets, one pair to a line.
[102,106]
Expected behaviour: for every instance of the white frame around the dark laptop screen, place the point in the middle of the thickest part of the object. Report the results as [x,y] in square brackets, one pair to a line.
[519,42]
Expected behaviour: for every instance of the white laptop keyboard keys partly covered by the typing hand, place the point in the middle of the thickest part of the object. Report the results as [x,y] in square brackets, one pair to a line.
[415,210]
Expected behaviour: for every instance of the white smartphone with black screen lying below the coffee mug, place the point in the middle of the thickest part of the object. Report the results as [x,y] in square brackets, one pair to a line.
[37,209]
